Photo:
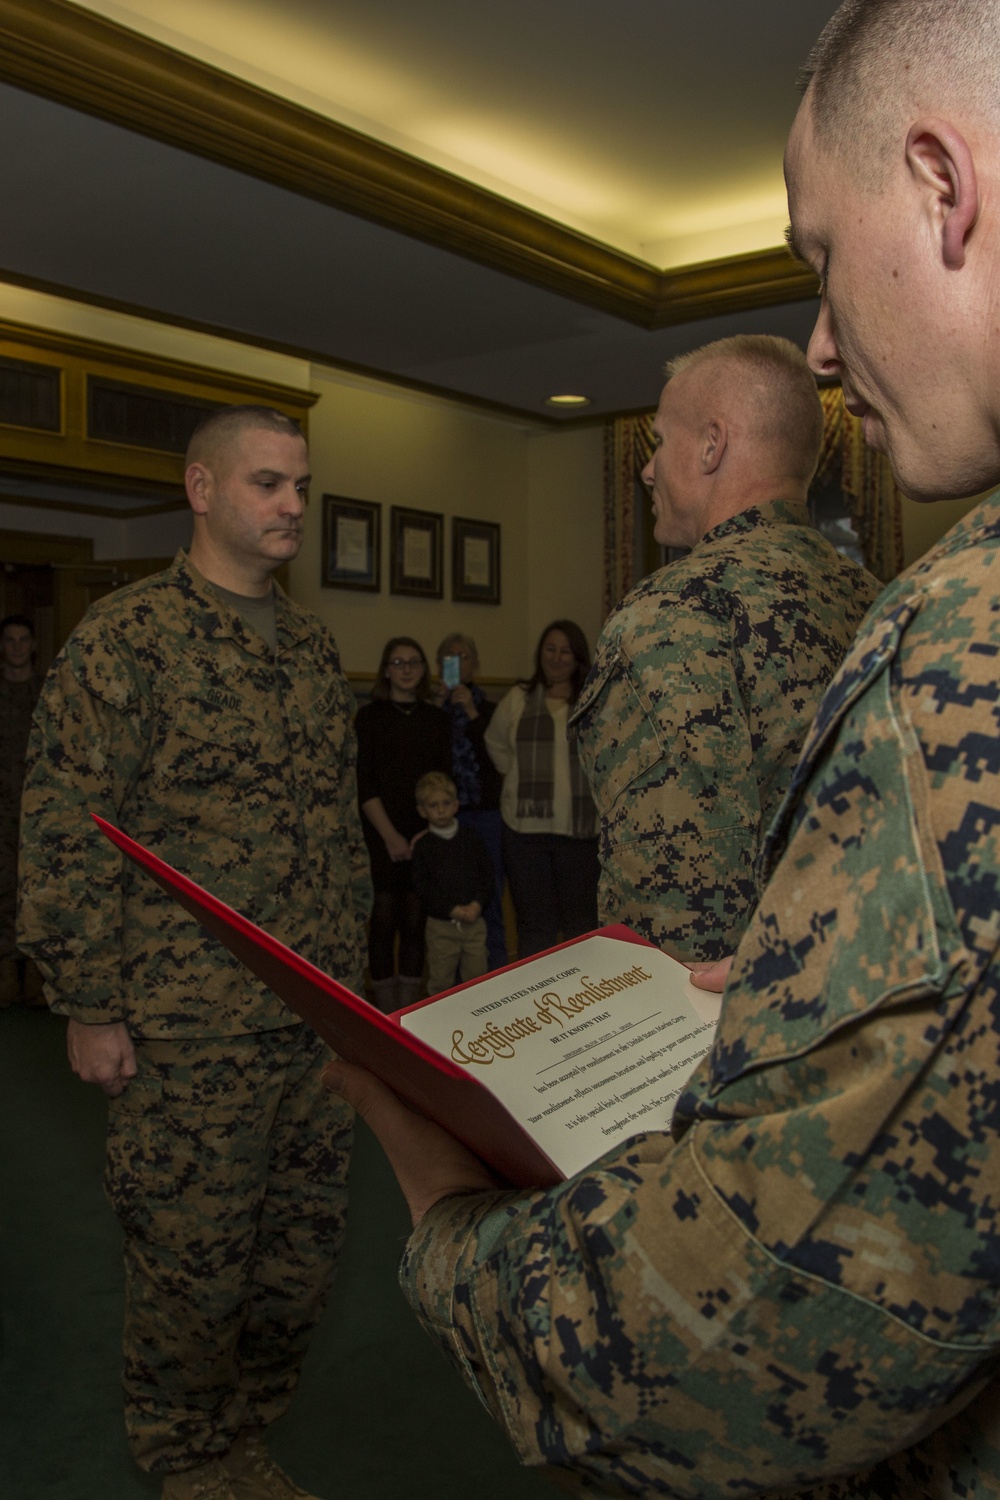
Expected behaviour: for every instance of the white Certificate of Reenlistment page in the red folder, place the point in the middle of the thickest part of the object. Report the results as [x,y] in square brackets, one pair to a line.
[585,1046]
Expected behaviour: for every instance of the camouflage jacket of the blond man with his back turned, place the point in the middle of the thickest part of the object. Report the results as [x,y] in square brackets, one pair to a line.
[705,683]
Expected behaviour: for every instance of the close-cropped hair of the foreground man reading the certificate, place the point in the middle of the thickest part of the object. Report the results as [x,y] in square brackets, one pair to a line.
[875,56]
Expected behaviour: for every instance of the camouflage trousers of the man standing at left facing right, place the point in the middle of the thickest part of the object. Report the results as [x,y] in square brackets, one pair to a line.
[227,1168]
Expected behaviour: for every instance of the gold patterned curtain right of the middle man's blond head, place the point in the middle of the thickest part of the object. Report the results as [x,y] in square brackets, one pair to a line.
[867,478]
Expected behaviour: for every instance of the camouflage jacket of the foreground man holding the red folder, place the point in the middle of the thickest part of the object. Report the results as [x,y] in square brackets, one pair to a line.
[803,1280]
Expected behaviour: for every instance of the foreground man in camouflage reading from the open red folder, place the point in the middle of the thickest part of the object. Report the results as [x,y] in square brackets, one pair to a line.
[798,1292]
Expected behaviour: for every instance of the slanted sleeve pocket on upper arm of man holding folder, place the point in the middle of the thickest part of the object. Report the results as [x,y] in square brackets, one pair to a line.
[857,917]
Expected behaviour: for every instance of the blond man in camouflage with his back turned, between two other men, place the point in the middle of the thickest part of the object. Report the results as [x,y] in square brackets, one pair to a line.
[710,671]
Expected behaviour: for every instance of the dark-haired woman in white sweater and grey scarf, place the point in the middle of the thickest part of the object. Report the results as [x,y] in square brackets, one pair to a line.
[549,817]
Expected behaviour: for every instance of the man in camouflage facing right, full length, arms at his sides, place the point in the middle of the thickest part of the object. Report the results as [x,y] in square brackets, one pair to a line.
[173,718]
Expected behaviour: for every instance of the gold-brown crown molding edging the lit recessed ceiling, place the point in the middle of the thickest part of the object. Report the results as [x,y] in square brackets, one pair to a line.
[89,64]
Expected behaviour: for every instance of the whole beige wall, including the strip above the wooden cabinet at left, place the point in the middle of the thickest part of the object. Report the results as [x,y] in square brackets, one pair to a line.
[376,442]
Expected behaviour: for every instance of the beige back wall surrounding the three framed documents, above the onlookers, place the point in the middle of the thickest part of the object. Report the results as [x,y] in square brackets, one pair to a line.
[373,442]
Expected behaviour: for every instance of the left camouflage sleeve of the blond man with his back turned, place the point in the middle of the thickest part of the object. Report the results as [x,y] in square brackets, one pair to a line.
[666,740]
